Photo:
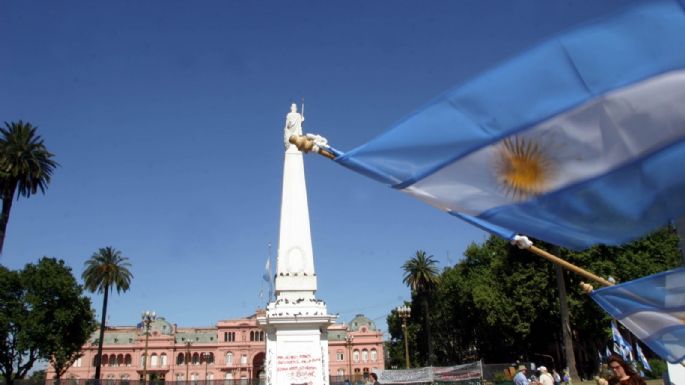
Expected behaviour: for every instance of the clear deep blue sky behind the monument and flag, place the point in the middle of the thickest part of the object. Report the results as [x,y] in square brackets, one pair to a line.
[167,118]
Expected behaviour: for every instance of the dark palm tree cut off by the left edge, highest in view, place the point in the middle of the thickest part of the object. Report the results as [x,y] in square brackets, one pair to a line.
[25,167]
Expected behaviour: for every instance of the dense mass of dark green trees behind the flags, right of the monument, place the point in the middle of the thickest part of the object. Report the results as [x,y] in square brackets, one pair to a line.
[501,304]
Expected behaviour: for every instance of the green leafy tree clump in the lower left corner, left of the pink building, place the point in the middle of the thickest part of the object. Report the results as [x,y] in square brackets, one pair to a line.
[43,316]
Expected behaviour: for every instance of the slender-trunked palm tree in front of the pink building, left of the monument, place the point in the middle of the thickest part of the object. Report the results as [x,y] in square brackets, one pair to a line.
[106,269]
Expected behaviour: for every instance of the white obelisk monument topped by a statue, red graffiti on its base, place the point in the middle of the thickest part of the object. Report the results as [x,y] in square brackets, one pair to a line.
[295,322]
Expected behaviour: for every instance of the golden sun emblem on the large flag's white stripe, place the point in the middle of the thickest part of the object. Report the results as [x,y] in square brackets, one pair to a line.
[523,167]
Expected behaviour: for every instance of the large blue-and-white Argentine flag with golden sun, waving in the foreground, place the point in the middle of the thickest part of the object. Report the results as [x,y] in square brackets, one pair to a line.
[576,142]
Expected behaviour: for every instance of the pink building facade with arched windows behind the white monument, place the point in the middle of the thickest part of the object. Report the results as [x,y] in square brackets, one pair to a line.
[232,350]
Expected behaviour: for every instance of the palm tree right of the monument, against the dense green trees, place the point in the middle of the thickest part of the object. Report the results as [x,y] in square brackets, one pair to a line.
[421,275]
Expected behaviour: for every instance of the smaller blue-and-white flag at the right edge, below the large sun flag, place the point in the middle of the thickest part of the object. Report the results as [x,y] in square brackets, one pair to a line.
[653,309]
